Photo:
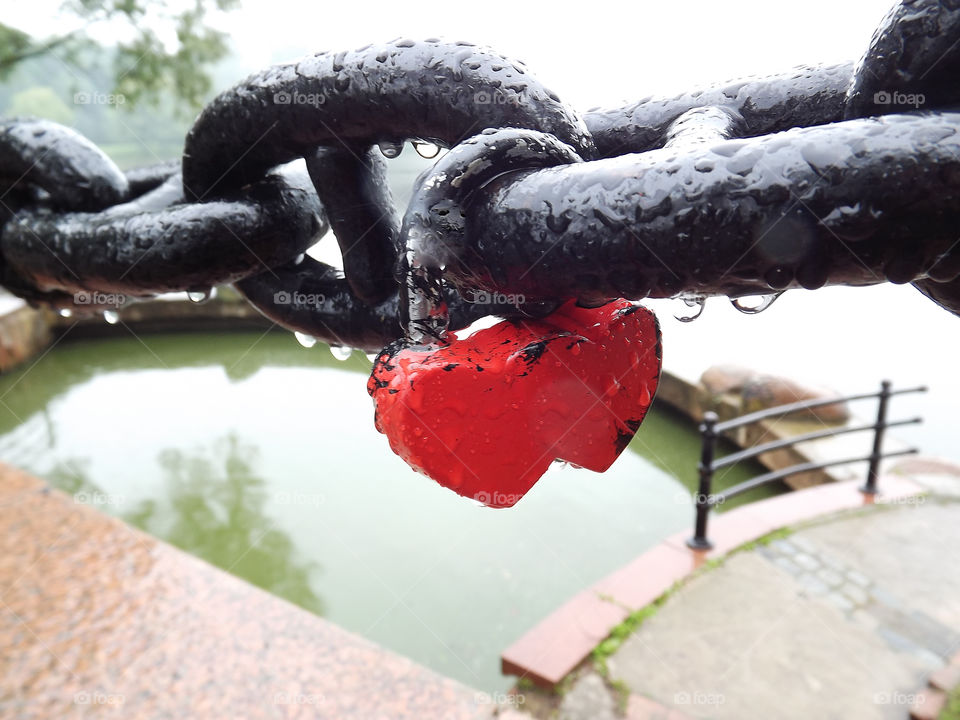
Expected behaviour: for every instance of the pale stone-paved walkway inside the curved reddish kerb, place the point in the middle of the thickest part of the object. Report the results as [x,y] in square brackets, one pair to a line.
[842,619]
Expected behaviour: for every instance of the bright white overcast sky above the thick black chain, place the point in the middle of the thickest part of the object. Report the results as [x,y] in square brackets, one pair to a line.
[650,47]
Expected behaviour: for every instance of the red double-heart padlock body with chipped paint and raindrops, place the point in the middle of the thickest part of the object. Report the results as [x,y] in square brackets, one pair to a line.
[485,415]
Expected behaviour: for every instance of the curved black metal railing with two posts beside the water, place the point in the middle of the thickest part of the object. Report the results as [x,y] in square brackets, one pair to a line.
[711,429]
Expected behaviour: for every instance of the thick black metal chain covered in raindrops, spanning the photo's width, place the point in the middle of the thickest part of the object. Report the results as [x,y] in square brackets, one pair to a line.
[825,175]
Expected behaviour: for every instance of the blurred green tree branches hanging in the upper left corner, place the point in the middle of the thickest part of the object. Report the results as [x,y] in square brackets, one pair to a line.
[144,67]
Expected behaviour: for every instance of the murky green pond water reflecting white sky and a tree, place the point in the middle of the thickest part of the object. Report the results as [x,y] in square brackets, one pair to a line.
[261,457]
